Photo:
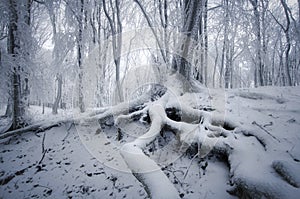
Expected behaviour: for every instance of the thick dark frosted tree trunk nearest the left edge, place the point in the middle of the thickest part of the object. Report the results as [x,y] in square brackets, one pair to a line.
[19,21]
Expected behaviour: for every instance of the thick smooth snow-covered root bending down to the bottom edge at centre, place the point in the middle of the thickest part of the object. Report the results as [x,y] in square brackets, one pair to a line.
[146,170]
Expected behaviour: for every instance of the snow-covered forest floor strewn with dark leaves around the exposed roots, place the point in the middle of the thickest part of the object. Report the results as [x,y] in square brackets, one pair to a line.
[79,161]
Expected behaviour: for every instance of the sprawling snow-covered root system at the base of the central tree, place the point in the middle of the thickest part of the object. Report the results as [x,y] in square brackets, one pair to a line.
[249,150]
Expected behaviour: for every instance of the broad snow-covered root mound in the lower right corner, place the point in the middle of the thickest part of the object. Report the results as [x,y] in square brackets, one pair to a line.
[254,173]
